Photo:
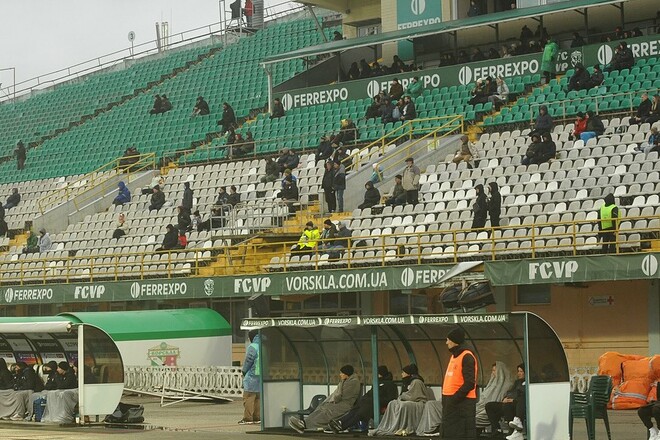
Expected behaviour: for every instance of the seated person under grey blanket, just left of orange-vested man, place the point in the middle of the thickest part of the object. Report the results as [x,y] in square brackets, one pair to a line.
[404,414]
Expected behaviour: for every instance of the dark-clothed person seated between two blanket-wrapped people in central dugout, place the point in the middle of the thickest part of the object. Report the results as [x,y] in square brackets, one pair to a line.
[358,417]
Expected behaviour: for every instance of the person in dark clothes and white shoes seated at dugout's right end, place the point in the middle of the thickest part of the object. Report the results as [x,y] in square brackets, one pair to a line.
[512,408]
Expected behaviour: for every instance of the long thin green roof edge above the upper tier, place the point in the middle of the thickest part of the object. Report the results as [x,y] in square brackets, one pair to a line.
[438,28]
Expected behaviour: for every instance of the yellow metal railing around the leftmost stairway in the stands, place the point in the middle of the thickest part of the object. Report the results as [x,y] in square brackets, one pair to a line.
[100,177]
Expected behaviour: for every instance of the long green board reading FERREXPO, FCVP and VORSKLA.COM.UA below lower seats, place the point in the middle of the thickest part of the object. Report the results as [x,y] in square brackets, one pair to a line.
[274,284]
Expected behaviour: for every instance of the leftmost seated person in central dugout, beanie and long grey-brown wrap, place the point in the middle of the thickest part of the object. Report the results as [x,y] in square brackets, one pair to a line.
[339,403]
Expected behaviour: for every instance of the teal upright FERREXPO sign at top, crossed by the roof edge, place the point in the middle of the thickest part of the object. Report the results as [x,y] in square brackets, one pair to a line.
[411,14]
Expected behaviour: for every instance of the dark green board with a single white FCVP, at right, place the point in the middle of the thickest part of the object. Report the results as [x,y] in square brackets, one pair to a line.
[573,269]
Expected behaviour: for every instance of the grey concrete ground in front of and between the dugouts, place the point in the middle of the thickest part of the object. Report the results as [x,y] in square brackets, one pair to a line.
[202,421]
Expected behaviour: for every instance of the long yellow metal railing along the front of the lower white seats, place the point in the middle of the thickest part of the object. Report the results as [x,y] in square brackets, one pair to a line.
[367,249]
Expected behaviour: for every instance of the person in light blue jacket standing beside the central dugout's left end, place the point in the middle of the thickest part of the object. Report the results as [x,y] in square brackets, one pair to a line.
[252,381]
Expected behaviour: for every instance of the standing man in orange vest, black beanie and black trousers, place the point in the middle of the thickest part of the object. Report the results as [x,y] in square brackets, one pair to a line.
[459,390]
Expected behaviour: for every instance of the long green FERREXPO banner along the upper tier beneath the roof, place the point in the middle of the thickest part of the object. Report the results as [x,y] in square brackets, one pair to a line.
[642,47]
